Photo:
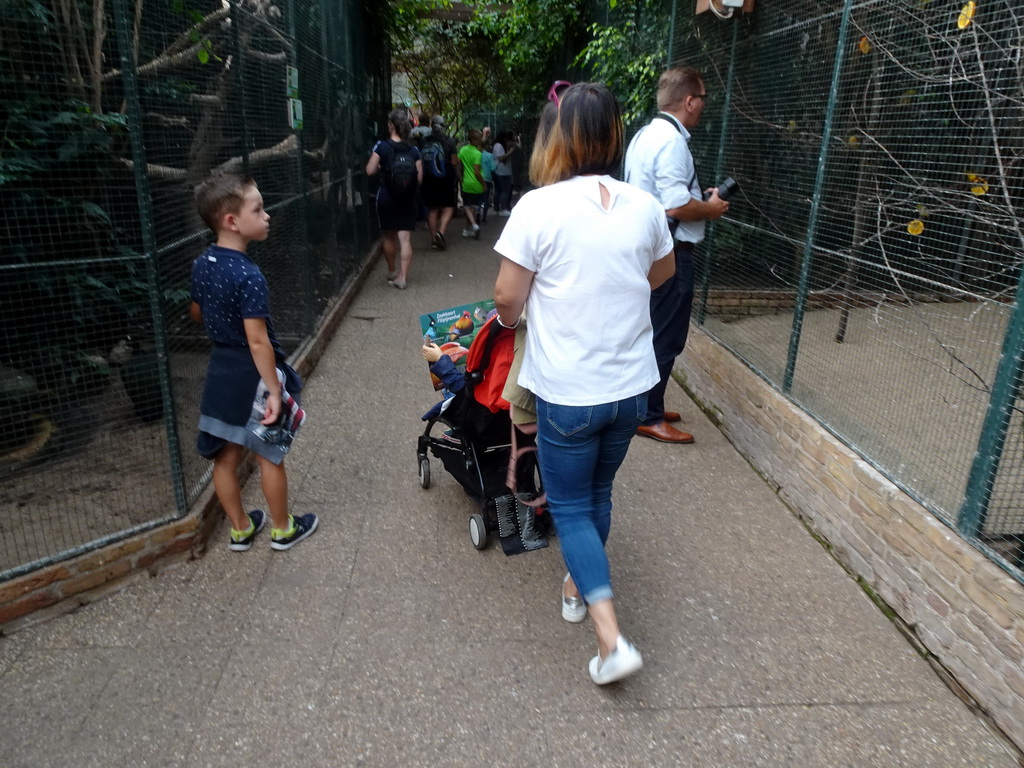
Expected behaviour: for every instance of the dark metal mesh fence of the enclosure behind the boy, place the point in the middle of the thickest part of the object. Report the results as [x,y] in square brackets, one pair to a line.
[113,112]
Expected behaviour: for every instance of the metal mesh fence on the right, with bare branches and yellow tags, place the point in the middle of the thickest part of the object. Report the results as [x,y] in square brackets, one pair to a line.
[871,265]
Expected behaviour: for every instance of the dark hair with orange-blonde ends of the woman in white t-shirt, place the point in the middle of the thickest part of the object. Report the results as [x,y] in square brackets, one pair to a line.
[587,137]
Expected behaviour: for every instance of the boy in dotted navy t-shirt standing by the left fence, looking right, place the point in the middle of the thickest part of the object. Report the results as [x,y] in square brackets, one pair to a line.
[248,377]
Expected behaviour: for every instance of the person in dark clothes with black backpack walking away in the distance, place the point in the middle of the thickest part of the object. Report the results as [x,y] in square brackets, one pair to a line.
[402,174]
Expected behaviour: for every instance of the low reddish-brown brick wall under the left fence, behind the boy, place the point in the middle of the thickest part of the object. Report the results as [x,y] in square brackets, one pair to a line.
[65,586]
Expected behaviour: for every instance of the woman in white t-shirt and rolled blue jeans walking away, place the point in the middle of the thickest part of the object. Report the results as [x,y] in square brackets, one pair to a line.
[582,254]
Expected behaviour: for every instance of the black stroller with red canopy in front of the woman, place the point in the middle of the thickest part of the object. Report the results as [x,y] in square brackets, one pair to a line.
[494,460]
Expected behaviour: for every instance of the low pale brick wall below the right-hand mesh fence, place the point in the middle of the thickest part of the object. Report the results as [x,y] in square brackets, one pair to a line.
[961,607]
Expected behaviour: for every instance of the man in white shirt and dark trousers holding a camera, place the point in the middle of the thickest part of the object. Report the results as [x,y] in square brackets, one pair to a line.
[660,162]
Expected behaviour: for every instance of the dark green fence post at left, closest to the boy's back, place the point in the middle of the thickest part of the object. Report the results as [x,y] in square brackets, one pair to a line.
[145,201]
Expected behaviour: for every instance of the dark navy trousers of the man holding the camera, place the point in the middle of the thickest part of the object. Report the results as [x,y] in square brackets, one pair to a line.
[670,315]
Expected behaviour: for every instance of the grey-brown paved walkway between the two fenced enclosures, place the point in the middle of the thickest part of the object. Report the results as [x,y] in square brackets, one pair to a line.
[388,641]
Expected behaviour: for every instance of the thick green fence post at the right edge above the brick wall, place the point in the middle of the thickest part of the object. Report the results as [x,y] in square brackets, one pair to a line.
[971,520]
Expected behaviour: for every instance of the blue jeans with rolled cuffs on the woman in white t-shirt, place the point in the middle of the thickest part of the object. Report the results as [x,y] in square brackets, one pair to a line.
[580,449]
